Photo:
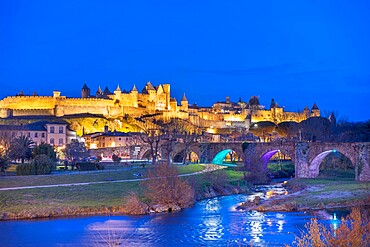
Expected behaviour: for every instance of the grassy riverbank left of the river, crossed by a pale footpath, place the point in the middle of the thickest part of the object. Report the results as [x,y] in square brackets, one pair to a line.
[107,197]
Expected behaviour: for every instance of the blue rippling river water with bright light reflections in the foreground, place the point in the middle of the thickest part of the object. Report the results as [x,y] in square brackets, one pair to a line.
[212,222]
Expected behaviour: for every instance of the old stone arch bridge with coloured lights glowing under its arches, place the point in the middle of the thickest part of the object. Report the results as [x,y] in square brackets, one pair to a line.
[306,156]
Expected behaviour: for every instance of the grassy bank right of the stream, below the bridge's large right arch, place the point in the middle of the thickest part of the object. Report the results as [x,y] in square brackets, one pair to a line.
[331,190]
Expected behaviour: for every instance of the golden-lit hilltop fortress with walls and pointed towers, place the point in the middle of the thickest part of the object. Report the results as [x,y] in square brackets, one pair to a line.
[150,100]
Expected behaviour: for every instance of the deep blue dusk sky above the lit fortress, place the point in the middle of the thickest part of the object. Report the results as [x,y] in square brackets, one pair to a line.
[297,52]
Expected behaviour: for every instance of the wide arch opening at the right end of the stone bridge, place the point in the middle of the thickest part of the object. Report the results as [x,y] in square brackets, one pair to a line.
[316,165]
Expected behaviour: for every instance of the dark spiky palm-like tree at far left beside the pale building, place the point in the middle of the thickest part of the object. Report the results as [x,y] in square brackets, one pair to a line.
[21,148]
